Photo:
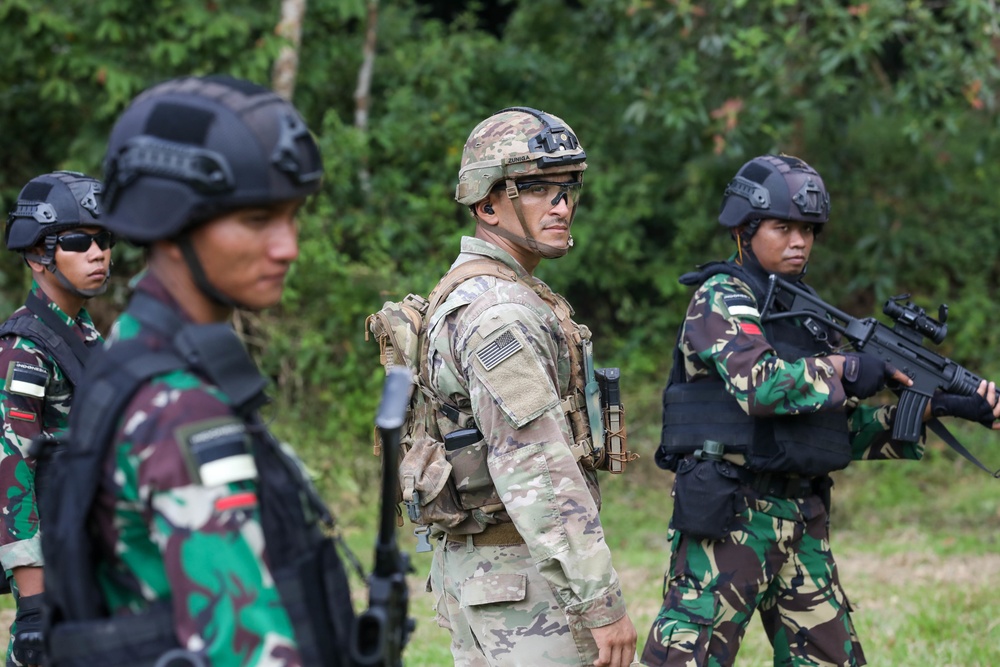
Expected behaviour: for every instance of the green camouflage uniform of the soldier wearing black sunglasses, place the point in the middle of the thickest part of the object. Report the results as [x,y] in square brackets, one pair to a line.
[35,400]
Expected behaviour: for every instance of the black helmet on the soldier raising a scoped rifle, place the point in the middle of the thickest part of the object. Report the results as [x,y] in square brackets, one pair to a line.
[775,186]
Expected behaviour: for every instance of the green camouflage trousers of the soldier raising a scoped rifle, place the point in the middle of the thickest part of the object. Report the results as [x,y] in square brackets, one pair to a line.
[777,560]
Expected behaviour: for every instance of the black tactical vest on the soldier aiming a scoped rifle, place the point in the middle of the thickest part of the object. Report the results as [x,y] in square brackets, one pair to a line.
[814,443]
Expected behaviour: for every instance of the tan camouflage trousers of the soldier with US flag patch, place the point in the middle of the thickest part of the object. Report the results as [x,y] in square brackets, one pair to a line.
[501,612]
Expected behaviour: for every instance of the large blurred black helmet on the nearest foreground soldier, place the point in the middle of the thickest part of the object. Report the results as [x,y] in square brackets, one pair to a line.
[190,149]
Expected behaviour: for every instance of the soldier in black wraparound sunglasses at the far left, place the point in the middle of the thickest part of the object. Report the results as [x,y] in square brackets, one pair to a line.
[55,226]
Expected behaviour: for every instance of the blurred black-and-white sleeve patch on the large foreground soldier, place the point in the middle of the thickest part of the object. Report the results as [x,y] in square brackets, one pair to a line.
[219,450]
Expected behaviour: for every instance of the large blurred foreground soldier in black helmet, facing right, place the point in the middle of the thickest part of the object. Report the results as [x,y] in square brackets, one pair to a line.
[184,533]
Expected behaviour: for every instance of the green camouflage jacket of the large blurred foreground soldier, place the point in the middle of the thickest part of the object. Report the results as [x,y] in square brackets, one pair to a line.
[173,527]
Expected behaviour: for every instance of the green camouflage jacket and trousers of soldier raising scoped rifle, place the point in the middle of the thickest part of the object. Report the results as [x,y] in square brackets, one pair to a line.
[778,558]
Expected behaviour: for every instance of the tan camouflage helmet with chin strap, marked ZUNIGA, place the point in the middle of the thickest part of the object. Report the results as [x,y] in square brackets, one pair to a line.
[511,144]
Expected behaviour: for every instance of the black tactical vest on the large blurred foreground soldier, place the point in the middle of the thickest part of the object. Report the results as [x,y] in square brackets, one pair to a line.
[306,568]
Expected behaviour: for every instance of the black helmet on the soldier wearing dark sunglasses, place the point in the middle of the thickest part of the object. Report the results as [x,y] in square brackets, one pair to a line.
[50,204]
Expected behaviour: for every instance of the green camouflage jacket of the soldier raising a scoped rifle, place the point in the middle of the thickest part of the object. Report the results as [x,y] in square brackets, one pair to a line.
[723,336]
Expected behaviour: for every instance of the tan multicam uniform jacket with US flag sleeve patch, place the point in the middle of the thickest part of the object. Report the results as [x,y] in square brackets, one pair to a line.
[502,357]
